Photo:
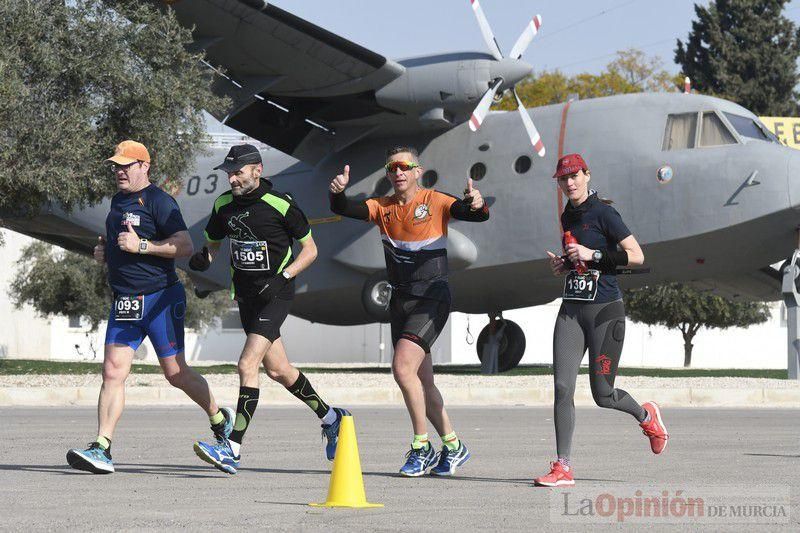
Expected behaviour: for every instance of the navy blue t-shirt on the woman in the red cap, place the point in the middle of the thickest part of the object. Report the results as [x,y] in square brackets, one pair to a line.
[597,225]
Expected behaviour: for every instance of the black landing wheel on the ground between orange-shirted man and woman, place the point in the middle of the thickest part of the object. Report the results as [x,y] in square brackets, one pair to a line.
[501,345]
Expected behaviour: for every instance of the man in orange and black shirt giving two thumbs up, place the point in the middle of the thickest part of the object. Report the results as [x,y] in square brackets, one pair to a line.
[413,225]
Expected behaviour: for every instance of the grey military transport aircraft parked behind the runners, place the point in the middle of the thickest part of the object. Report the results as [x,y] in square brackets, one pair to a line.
[707,189]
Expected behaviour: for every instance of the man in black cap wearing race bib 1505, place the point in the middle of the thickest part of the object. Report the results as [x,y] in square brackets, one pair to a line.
[260,224]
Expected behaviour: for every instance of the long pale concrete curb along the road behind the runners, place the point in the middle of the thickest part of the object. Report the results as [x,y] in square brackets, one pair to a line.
[461,396]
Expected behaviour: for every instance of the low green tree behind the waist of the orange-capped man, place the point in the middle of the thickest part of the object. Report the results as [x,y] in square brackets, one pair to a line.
[58,282]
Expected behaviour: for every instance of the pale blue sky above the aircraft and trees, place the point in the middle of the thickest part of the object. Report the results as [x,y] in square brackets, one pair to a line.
[576,35]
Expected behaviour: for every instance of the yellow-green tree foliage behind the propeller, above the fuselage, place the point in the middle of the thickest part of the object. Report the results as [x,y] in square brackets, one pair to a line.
[630,72]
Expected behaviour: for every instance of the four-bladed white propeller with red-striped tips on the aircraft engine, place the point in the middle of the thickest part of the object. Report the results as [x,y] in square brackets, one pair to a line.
[517,50]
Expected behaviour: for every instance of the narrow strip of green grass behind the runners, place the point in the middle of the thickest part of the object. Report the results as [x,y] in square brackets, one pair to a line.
[33,367]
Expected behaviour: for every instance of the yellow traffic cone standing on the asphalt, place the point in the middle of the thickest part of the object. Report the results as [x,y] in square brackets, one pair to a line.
[347,485]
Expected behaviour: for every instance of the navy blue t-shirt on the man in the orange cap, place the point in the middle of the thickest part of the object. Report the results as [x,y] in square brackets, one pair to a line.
[154,216]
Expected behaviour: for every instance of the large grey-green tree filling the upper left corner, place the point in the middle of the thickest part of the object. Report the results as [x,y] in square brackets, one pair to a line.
[76,78]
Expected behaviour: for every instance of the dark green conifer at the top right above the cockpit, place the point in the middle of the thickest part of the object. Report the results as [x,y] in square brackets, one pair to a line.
[745,51]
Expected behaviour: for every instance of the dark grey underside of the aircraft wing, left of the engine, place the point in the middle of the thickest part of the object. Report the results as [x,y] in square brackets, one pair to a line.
[293,85]
